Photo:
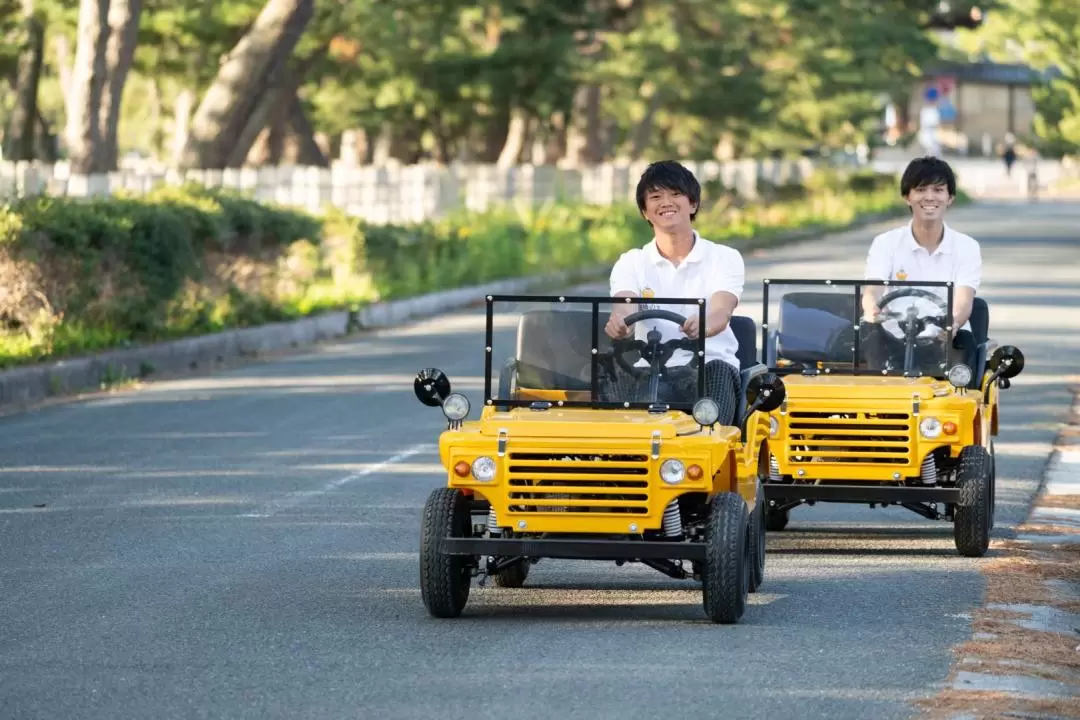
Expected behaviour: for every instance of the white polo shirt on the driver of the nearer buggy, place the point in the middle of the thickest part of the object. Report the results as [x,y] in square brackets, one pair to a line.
[709,268]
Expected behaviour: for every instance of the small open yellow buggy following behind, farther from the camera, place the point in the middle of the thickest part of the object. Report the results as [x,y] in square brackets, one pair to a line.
[884,412]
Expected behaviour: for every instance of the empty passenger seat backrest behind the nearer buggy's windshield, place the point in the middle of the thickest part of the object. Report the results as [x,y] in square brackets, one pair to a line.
[555,348]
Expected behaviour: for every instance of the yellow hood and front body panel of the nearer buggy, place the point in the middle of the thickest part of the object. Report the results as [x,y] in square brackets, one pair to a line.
[589,451]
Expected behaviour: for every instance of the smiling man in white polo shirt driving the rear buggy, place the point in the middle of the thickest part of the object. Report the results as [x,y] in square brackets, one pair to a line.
[925,250]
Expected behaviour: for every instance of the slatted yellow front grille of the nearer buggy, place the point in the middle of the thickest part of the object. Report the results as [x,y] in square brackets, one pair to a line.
[579,484]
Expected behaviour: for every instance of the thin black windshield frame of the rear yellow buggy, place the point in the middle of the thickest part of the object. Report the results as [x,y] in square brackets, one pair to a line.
[857,289]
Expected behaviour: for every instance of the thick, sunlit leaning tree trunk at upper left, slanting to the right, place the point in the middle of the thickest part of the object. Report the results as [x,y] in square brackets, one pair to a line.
[222,125]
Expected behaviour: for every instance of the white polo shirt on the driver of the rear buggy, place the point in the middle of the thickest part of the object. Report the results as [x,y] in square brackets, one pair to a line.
[897,255]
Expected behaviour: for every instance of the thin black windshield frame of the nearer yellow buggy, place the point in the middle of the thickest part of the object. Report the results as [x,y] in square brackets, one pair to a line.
[595,303]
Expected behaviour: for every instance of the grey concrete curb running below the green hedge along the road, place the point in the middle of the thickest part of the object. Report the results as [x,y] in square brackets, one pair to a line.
[23,388]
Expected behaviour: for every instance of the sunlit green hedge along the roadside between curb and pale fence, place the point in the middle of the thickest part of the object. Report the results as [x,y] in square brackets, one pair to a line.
[85,276]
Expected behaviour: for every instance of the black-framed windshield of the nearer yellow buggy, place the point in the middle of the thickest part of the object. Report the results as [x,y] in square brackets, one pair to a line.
[543,352]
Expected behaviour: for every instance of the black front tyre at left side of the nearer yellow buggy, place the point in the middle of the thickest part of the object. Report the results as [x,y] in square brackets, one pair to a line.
[445,580]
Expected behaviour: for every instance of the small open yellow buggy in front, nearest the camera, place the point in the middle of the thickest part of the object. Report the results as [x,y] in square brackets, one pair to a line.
[588,449]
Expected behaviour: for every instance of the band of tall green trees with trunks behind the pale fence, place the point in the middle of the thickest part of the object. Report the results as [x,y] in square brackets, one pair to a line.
[572,81]
